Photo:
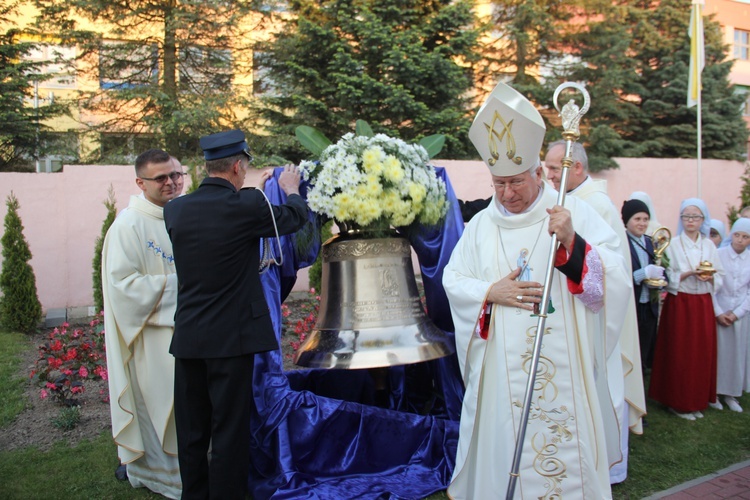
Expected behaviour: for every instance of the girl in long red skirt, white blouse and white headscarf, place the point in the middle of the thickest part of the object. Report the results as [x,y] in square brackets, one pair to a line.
[684,371]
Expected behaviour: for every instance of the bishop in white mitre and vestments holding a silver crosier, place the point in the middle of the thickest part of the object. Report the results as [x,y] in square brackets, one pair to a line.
[565,453]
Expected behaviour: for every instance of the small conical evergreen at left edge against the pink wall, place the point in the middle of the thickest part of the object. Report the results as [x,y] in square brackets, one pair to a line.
[20,309]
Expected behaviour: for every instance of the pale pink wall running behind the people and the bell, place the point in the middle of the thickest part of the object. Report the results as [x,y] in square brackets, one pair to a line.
[63,212]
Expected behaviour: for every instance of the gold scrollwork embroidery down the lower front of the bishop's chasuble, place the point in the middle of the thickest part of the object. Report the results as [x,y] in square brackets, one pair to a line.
[553,420]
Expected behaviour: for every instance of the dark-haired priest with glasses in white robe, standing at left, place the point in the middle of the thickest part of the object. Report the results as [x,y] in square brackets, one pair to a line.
[140,297]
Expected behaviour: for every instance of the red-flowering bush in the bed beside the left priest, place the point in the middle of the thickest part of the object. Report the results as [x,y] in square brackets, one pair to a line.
[68,358]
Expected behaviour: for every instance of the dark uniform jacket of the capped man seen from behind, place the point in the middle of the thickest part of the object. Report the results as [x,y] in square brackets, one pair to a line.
[215,232]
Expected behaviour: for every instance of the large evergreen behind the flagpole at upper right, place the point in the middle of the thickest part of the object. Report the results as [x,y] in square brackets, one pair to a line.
[634,58]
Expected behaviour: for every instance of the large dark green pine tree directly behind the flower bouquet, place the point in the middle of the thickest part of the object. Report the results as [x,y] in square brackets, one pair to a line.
[402,66]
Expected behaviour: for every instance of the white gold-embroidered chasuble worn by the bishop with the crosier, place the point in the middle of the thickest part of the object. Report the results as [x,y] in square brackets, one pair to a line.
[565,450]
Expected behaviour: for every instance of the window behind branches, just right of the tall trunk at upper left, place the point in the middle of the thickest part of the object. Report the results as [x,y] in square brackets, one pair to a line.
[204,68]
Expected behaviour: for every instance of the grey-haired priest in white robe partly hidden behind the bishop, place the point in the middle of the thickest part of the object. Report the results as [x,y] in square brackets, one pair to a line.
[624,375]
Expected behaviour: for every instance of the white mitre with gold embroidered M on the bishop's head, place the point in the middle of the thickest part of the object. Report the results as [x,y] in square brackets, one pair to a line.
[508,132]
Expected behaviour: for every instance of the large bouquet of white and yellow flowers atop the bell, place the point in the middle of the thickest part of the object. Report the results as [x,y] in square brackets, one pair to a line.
[375,180]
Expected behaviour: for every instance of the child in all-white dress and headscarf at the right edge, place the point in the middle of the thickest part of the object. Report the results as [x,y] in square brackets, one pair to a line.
[731,305]
